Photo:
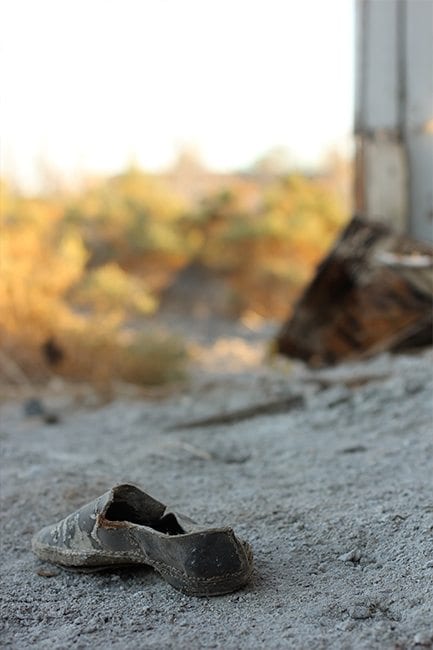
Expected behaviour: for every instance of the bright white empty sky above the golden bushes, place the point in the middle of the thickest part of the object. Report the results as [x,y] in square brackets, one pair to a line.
[89,85]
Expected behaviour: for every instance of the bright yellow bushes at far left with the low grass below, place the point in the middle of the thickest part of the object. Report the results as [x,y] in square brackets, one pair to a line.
[43,267]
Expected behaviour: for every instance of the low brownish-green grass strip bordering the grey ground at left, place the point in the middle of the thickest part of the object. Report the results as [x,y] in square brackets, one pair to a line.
[97,352]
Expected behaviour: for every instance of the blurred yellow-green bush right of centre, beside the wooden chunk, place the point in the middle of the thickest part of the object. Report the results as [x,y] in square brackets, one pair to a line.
[269,253]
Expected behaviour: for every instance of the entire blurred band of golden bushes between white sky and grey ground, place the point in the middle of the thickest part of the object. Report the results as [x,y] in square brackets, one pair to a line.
[87,269]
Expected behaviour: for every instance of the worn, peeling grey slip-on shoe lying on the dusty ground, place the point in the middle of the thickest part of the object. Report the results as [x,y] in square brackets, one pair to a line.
[126,526]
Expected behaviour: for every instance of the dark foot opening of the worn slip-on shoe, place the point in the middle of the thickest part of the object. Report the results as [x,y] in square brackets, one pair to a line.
[144,512]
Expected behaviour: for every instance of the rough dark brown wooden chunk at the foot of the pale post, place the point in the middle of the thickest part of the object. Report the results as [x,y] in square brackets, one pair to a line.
[372,293]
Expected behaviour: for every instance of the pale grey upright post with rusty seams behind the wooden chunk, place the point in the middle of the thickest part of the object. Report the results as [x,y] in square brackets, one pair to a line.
[394,114]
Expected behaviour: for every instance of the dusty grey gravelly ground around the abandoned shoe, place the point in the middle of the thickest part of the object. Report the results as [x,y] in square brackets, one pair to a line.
[335,496]
